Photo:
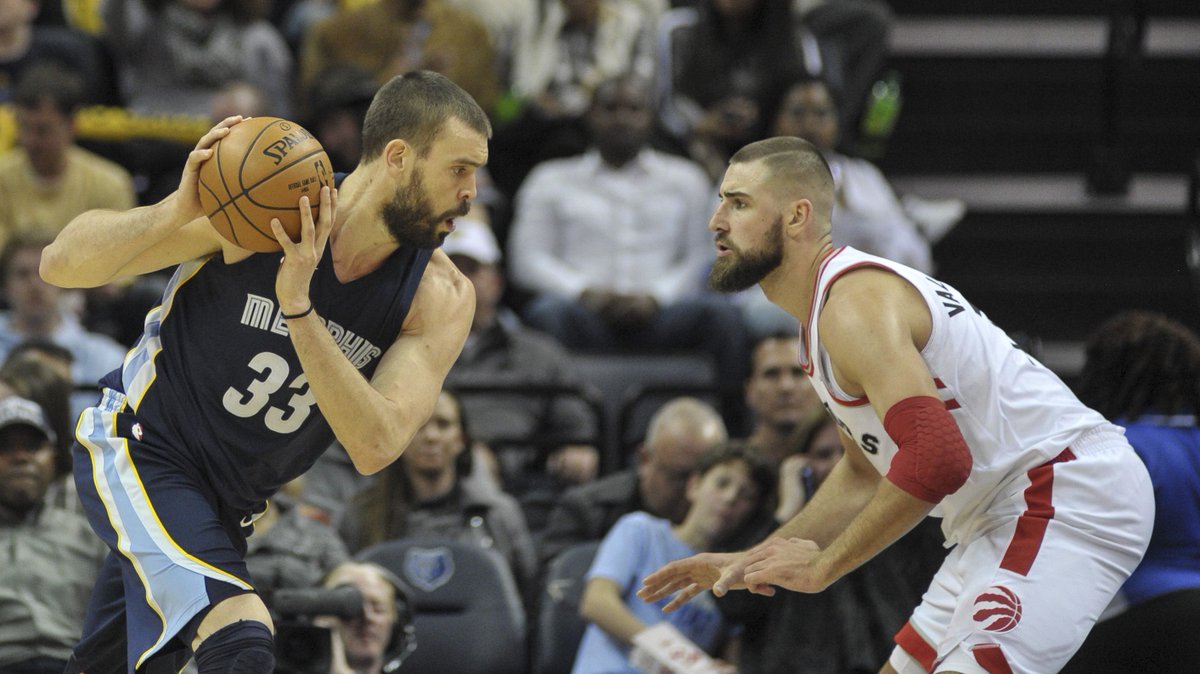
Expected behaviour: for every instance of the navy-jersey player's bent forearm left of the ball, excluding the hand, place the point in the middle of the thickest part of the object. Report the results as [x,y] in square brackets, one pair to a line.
[97,245]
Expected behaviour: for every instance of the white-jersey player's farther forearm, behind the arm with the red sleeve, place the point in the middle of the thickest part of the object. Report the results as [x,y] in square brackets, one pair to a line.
[842,497]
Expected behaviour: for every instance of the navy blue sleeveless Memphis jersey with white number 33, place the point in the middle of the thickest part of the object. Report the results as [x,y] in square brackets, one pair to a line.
[217,384]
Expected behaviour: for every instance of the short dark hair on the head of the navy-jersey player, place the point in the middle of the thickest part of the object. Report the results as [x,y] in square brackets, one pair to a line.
[417,107]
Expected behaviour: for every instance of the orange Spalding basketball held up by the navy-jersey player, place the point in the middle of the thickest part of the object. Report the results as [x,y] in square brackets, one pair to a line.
[259,172]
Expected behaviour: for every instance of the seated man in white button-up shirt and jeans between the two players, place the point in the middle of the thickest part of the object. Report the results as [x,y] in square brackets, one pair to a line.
[611,272]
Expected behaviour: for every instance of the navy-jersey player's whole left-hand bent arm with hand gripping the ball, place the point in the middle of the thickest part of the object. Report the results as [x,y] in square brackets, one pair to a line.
[100,246]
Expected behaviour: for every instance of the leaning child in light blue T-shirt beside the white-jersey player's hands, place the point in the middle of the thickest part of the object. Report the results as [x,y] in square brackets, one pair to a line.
[729,485]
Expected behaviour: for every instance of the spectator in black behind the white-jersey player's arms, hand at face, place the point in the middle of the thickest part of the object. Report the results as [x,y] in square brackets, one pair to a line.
[848,628]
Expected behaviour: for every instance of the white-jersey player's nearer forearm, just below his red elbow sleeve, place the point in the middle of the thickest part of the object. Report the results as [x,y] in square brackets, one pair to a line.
[891,514]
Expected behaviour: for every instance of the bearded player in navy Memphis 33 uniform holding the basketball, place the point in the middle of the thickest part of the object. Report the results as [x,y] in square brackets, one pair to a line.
[254,364]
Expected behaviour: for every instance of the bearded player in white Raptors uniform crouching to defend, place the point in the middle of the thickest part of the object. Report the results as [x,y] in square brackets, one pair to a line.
[1045,503]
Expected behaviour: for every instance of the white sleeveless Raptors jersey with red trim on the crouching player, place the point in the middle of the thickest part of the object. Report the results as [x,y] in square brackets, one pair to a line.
[1013,412]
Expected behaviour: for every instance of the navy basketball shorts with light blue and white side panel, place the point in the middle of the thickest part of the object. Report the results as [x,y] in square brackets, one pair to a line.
[176,552]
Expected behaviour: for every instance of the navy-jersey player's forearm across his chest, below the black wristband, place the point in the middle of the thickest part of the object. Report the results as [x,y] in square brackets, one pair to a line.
[373,429]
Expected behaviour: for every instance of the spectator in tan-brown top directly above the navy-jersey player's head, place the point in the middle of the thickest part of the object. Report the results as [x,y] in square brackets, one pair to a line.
[392,38]
